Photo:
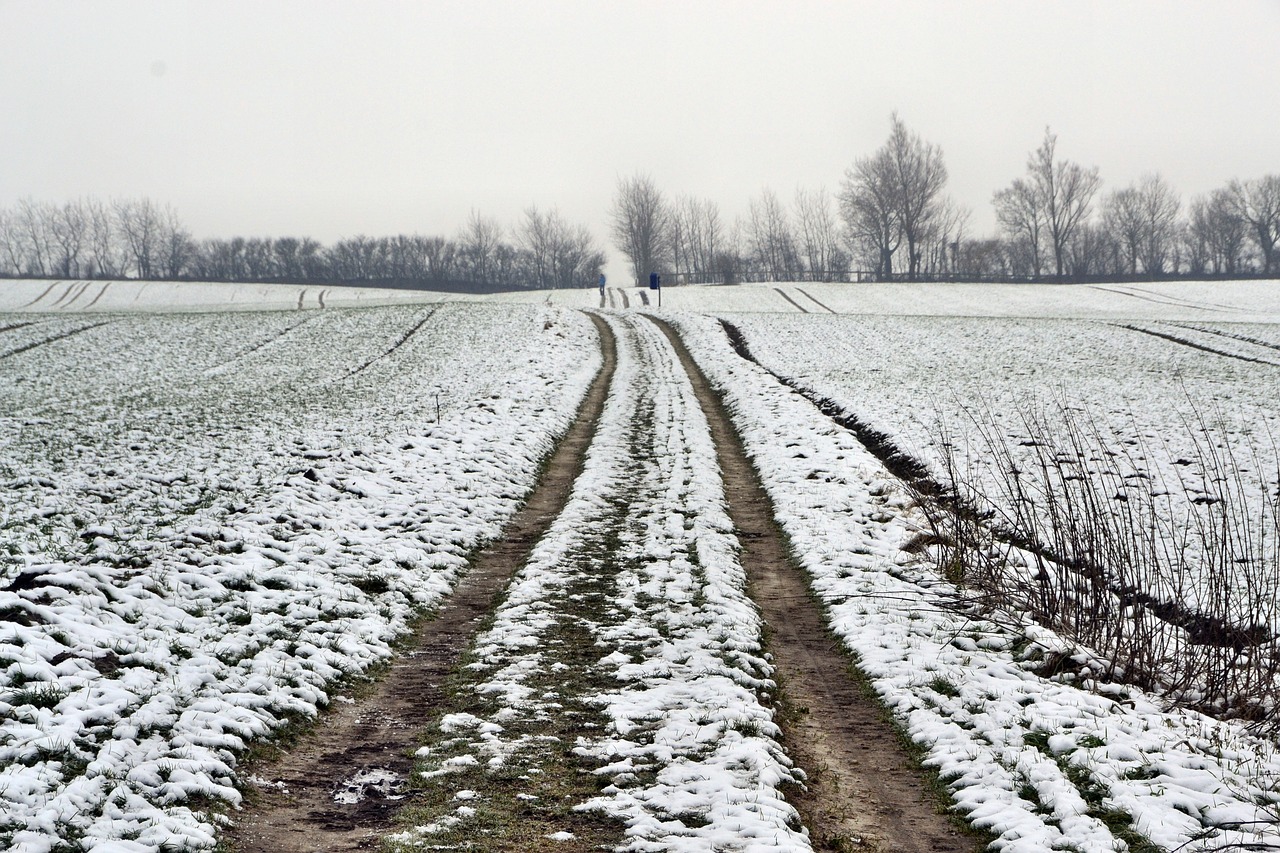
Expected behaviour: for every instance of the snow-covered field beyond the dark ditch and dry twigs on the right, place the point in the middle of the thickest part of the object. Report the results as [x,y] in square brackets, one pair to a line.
[958,386]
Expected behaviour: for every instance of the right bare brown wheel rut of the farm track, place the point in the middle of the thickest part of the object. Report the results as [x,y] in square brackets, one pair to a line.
[863,793]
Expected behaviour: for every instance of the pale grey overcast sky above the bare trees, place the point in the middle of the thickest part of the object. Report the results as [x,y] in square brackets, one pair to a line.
[333,120]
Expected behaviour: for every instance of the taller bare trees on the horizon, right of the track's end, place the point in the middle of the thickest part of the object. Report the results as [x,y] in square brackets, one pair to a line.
[892,218]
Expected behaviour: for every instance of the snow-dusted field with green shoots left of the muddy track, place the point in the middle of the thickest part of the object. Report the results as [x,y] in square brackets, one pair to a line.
[211,518]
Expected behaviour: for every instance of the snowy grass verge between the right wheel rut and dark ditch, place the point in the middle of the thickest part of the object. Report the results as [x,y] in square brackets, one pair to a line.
[1039,763]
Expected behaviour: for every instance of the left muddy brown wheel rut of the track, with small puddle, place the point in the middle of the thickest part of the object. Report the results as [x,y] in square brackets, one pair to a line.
[296,810]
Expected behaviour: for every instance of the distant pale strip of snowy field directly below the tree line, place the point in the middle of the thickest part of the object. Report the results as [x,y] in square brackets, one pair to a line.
[1252,302]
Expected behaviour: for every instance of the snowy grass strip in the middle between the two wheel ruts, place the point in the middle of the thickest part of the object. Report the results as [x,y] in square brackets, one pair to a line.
[620,690]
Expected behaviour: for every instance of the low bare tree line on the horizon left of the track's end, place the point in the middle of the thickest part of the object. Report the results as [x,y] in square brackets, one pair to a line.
[145,240]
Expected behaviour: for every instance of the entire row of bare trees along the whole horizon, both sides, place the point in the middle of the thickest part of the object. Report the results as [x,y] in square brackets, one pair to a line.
[890,218]
